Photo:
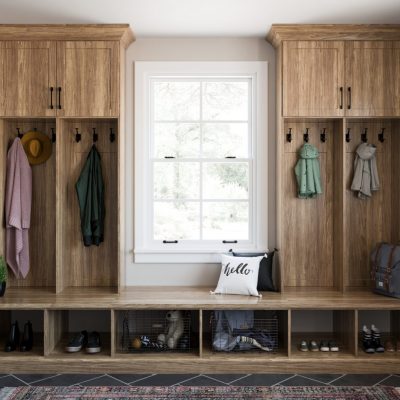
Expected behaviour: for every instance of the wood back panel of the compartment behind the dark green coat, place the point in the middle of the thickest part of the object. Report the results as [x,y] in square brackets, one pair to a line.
[78,265]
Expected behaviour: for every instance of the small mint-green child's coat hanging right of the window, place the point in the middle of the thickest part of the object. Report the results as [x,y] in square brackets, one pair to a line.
[308,173]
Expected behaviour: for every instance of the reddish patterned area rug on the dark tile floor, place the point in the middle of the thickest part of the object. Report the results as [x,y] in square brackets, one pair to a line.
[203,393]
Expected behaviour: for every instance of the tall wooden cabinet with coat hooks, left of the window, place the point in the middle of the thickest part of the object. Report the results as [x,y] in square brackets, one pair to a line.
[66,81]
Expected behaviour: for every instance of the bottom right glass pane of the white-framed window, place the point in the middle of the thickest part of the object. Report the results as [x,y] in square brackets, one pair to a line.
[225,221]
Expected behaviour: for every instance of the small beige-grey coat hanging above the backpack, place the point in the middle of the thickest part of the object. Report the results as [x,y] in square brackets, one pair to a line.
[365,179]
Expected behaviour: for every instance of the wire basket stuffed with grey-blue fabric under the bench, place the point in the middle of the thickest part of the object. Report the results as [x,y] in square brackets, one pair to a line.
[233,331]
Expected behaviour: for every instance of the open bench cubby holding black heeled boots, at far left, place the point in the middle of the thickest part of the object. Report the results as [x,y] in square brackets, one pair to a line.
[7,317]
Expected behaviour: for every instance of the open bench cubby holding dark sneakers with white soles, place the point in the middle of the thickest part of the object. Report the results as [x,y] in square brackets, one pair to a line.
[62,325]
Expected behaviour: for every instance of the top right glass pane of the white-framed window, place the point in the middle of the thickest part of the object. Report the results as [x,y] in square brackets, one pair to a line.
[225,101]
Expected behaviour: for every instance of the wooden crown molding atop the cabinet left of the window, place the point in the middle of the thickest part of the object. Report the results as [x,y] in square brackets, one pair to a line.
[118,32]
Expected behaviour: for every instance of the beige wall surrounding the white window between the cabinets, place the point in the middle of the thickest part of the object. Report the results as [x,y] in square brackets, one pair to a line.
[191,49]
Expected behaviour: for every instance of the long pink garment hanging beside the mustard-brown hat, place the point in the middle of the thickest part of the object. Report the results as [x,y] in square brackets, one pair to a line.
[18,209]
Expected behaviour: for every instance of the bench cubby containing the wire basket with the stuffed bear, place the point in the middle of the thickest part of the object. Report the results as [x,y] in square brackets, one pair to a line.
[137,332]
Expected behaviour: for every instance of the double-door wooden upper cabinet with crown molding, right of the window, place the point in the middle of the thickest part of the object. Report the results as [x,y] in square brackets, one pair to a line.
[338,70]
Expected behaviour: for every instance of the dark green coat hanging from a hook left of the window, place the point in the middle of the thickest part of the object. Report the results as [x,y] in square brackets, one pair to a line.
[90,190]
